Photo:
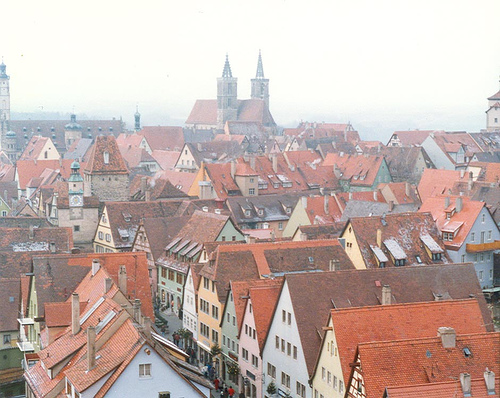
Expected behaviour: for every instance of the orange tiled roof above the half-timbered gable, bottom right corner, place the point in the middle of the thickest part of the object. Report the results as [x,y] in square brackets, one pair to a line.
[424,360]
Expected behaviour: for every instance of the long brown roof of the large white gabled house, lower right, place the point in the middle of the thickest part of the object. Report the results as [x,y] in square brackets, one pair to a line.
[357,288]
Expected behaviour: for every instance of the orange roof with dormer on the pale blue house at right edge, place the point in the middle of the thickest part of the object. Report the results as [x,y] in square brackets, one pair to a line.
[462,220]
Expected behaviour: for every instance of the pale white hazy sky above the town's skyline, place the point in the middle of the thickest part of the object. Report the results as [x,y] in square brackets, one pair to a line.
[383,65]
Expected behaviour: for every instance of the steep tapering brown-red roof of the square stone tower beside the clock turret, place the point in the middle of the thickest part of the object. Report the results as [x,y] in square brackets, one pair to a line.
[98,164]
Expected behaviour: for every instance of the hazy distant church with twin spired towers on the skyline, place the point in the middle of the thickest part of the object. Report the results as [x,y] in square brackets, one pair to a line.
[213,114]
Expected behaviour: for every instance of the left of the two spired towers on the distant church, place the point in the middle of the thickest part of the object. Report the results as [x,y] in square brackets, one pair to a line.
[227,96]
